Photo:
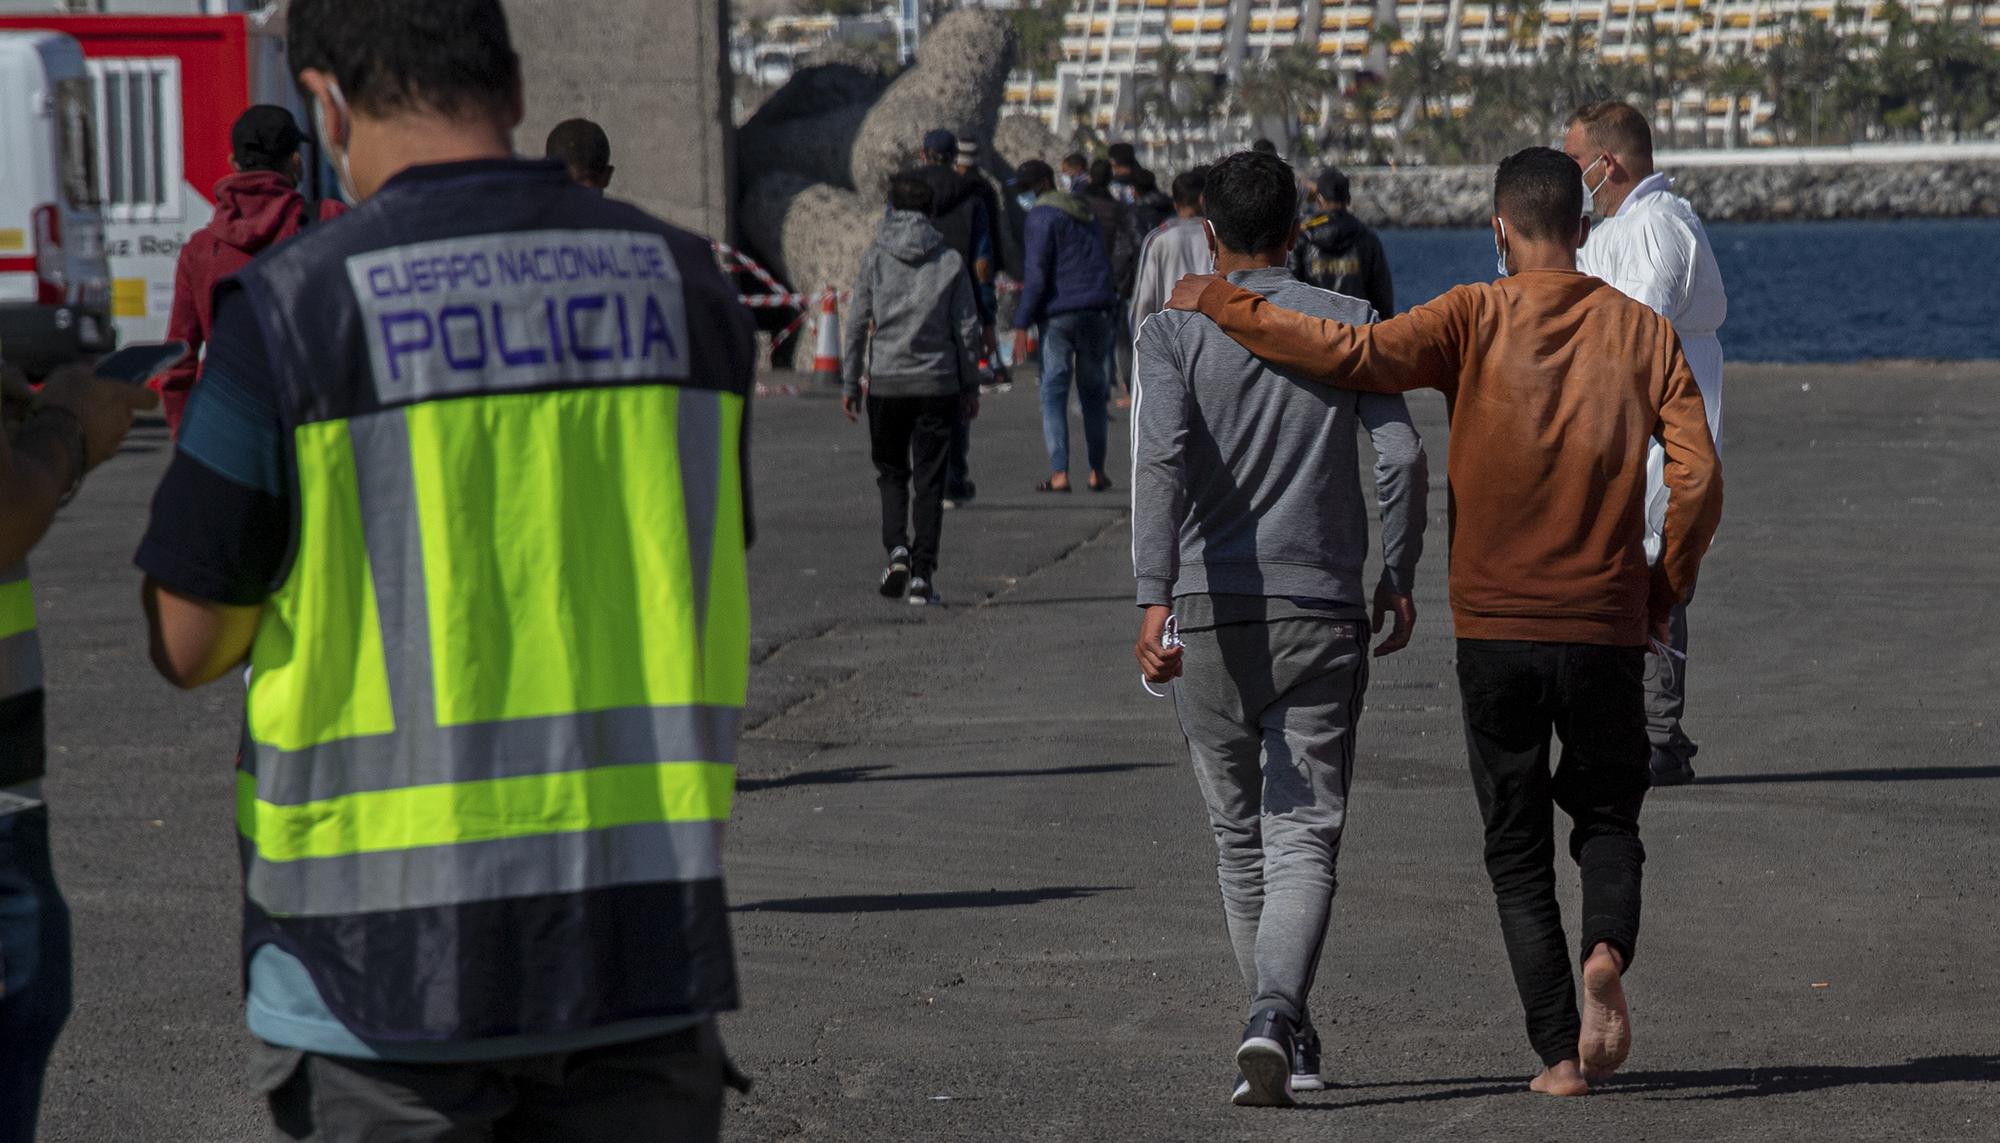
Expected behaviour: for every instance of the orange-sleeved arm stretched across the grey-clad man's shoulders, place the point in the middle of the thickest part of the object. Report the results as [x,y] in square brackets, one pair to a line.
[1417,351]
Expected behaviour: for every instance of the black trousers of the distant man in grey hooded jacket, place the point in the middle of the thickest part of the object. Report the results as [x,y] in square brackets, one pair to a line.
[911,441]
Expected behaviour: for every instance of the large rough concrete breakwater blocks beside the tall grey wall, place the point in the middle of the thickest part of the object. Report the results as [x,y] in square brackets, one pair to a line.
[817,159]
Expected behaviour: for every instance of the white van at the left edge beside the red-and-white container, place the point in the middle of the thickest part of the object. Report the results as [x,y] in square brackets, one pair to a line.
[55,281]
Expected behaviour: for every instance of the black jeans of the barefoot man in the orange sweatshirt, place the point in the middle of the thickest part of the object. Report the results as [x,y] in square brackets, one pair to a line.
[1595,700]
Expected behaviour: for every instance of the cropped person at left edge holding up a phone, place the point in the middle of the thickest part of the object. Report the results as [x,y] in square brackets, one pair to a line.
[51,441]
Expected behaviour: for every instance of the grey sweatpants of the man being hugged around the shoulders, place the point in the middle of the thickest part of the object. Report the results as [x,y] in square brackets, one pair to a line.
[1271,712]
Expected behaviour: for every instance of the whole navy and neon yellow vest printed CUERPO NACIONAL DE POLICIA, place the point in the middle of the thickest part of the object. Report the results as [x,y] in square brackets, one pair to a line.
[491,724]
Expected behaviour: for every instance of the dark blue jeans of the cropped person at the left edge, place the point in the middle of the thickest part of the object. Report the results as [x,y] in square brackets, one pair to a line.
[35,962]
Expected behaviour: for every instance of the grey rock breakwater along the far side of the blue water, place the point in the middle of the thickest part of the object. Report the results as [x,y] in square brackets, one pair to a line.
[1433,197]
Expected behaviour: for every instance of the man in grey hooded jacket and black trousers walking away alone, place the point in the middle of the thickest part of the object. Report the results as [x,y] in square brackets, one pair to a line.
[915,339]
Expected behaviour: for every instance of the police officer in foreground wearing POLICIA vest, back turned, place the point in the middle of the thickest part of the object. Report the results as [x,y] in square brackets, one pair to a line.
[465,487]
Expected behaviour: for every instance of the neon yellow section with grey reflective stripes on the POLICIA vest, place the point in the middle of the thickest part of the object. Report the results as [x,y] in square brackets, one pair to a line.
[511,658]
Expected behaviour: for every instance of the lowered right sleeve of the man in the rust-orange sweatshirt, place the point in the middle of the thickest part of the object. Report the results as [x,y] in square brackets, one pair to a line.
[1693,483]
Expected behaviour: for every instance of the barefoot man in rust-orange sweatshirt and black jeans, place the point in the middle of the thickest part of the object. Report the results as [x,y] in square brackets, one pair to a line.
[1555,385]
